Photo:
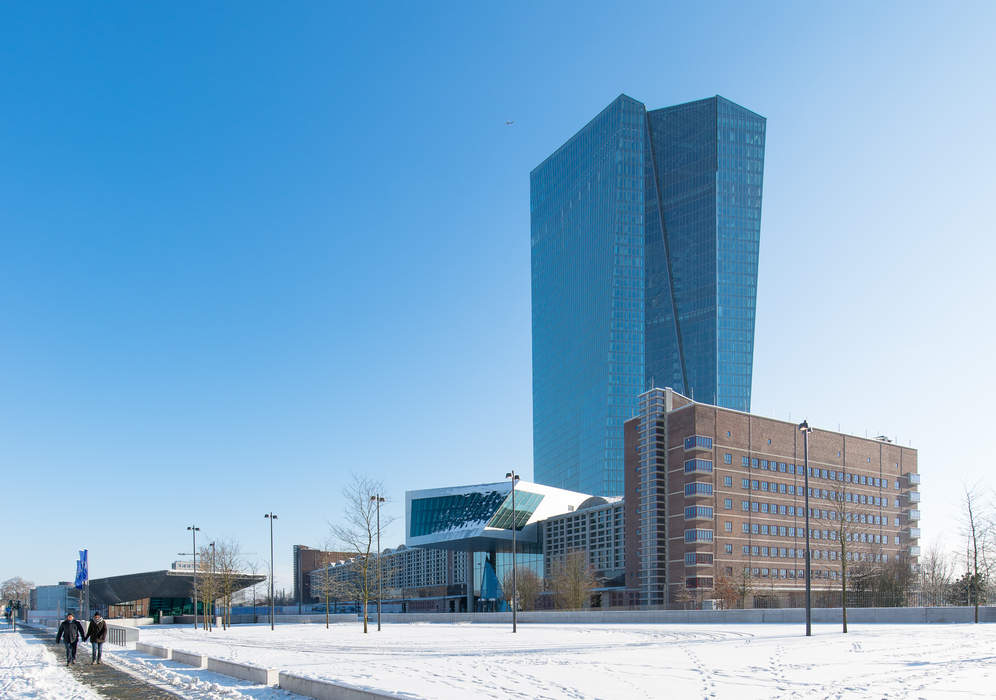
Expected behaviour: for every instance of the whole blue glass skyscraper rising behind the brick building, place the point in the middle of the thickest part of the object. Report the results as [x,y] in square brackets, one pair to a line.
[645,230]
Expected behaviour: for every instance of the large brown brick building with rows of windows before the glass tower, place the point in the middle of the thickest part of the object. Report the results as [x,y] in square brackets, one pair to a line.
[717,494]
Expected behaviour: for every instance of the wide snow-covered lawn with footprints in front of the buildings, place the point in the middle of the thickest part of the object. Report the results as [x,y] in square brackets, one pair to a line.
[619,661]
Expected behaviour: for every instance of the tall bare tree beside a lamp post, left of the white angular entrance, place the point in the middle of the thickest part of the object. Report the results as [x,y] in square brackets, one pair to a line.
[357,534]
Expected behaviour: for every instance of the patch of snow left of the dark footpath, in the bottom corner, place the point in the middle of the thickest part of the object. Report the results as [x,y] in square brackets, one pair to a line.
[29,670]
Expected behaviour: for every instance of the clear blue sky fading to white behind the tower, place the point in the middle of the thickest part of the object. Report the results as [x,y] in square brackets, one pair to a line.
[249,249]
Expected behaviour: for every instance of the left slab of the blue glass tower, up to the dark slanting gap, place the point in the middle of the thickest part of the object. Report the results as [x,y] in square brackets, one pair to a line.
[586,203]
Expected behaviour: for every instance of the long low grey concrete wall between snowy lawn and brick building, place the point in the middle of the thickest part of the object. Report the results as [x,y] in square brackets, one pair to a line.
[784,615]
